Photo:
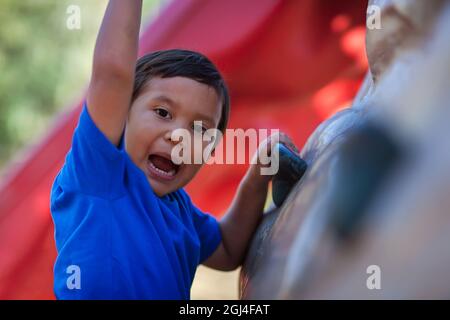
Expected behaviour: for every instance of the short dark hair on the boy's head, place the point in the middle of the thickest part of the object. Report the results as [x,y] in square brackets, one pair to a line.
[183,63]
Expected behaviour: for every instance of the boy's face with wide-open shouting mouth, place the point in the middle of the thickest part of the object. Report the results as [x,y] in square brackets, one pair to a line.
[164,105]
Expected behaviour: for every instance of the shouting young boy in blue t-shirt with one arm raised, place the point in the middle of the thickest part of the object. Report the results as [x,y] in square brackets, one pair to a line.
[124,227]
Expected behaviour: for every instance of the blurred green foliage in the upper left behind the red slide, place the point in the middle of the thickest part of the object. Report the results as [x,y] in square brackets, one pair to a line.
[44,65]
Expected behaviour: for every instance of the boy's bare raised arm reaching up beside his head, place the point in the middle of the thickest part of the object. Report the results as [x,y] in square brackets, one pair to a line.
[115,55]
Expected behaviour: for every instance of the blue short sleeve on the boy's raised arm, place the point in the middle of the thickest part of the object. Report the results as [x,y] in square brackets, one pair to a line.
[93,166]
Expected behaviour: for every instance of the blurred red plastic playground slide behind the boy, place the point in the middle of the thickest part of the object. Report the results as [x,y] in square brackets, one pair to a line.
[289,65]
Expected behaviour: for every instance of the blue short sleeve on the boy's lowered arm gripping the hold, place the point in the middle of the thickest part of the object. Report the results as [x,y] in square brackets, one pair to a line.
[208,231]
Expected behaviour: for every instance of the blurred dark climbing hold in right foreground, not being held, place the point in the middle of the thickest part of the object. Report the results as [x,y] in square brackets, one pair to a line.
[364,161]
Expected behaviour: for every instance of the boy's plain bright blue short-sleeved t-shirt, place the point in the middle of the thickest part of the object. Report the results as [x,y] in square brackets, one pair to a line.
[116,239]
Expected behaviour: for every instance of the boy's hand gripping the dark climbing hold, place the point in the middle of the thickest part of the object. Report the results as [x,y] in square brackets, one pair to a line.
[265,149]
